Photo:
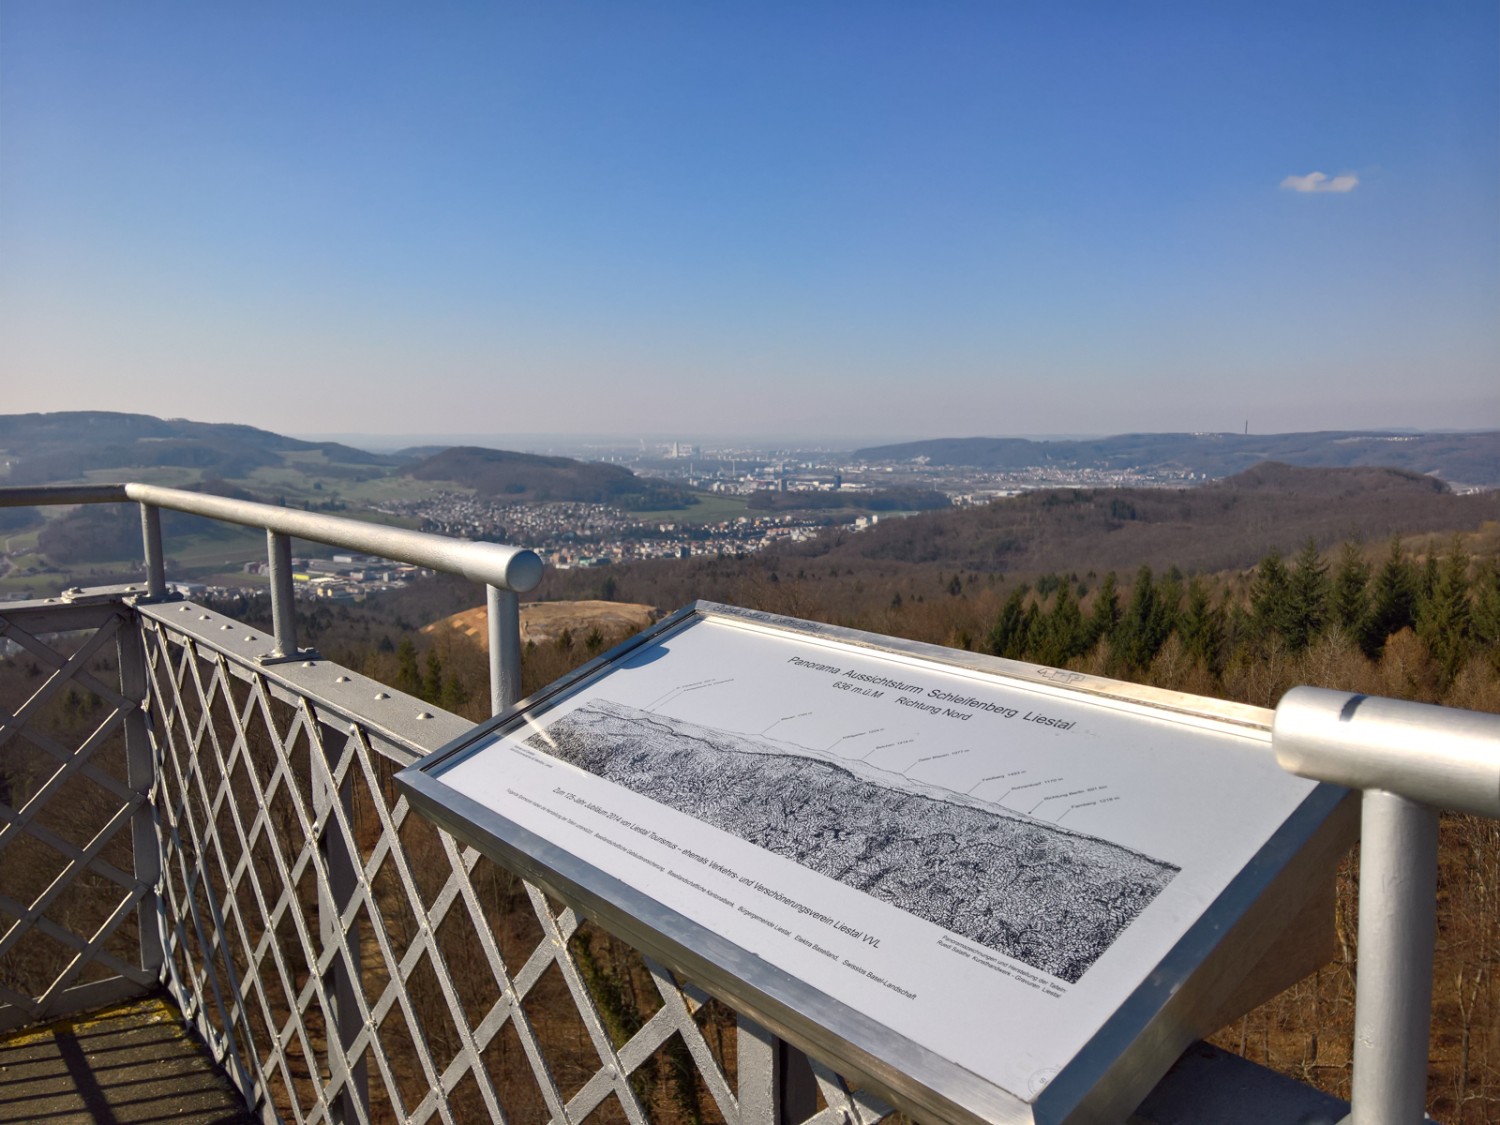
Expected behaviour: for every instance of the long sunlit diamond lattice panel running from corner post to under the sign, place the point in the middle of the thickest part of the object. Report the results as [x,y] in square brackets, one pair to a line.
[350,962]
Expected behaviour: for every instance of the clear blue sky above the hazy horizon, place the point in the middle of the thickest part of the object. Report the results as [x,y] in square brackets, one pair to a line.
[796,220]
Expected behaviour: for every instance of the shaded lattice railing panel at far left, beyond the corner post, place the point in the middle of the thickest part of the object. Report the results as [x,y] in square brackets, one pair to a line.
[70,893]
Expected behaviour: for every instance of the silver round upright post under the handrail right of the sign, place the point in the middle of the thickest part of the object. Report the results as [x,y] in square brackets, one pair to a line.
[1394,986]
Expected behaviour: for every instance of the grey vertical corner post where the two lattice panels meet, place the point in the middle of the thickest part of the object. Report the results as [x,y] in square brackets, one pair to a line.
[140,769]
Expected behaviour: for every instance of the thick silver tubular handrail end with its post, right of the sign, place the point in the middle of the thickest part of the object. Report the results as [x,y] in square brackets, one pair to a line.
[1411,761]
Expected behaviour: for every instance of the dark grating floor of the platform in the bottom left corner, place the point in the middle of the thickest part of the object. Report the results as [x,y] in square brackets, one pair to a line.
[124,1066]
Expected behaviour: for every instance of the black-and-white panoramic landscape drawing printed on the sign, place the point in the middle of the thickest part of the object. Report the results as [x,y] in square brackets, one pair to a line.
[1034,892]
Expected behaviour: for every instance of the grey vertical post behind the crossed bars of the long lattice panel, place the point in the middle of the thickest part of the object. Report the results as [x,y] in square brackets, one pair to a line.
[344,977]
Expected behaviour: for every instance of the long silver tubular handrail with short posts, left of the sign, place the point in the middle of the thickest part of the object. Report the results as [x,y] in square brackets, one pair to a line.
[506,571]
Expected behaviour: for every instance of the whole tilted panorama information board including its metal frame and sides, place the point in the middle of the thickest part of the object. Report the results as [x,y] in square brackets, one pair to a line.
[965,880]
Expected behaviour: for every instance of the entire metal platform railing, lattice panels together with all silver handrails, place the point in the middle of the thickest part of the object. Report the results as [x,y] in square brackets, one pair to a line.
[188,800]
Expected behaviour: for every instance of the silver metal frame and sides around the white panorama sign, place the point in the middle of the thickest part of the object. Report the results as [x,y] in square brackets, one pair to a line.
[1211,970]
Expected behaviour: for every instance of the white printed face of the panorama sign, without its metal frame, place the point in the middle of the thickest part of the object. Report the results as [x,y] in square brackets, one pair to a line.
[986,866]
